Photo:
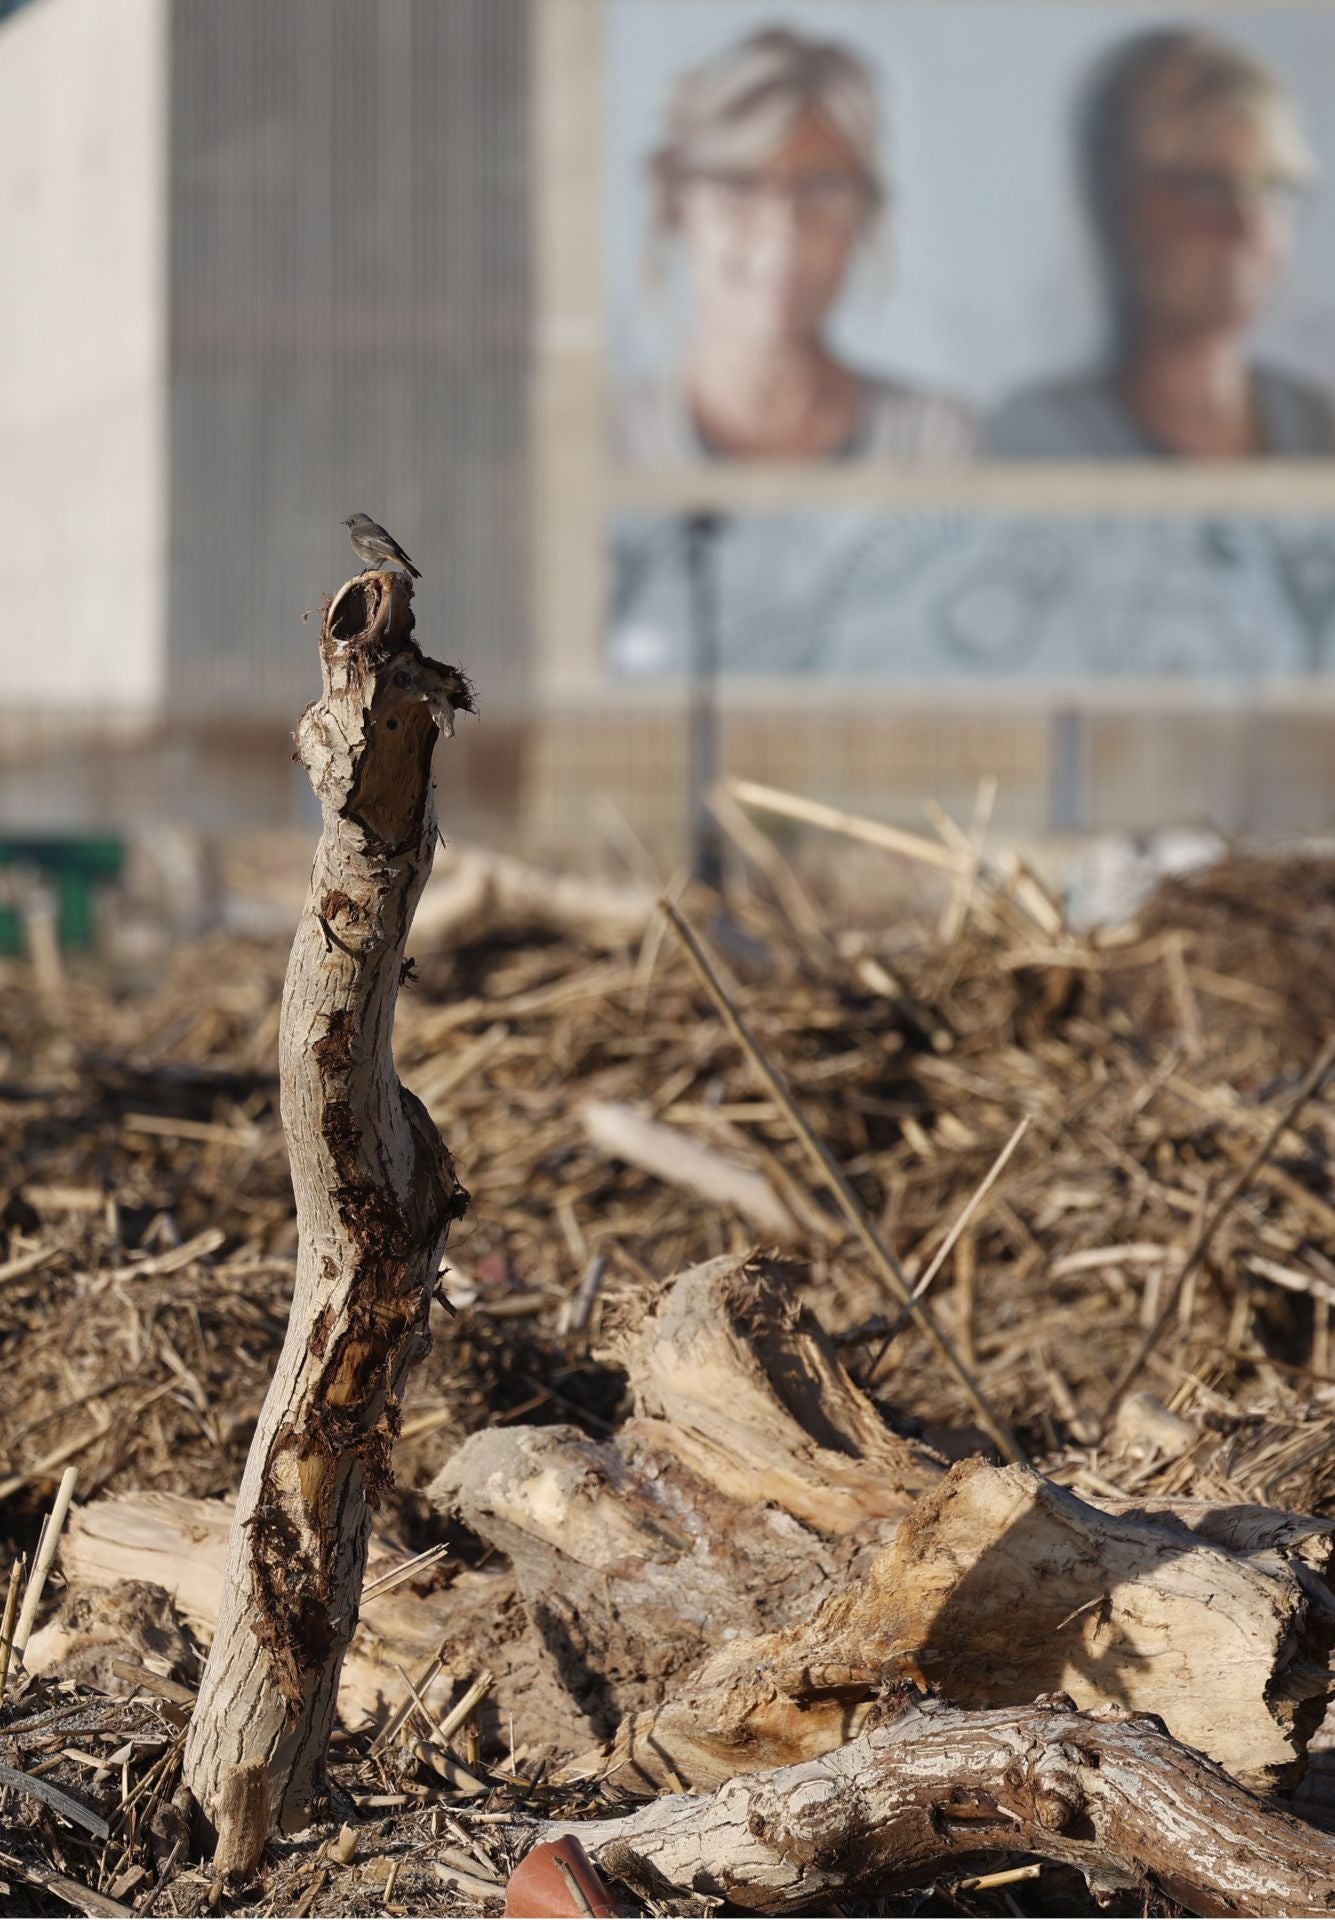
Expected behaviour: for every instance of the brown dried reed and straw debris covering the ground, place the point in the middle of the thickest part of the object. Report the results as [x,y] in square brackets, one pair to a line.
[147,1257]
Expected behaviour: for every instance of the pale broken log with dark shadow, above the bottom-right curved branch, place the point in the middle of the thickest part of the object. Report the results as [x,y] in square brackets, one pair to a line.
[1002,1587]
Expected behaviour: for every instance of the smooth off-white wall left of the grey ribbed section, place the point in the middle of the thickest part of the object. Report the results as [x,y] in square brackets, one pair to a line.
[84,354]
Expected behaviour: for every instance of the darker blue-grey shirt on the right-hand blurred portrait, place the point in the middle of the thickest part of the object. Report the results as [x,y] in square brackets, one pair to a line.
[1088,421]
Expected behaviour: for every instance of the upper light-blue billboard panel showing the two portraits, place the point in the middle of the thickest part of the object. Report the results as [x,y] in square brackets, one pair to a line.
[927,233]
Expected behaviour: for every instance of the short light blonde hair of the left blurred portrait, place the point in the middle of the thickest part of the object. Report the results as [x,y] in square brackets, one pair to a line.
[740,107]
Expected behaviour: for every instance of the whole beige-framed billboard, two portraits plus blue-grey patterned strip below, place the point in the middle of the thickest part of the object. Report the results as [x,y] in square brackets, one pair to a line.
[944,345]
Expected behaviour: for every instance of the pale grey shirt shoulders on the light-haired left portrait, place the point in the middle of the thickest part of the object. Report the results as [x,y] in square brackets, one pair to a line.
[654,427]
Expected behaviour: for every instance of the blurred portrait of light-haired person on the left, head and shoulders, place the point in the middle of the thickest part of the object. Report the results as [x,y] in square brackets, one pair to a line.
[769,178]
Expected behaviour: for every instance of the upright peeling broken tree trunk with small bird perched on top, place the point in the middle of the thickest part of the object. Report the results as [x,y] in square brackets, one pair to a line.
[376,1195]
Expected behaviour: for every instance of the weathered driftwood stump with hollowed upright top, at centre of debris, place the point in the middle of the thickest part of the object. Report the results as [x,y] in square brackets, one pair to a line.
[746,1491]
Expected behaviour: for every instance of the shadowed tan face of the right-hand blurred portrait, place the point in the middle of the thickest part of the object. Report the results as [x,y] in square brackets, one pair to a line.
[1209,226]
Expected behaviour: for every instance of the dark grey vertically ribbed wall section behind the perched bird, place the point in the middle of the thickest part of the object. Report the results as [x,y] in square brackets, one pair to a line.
[351,329]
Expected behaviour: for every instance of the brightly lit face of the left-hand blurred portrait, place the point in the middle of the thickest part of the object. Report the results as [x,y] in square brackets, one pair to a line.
[769,245]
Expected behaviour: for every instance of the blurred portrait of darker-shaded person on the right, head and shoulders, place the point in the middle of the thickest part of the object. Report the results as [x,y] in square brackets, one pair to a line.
[1194,162]
